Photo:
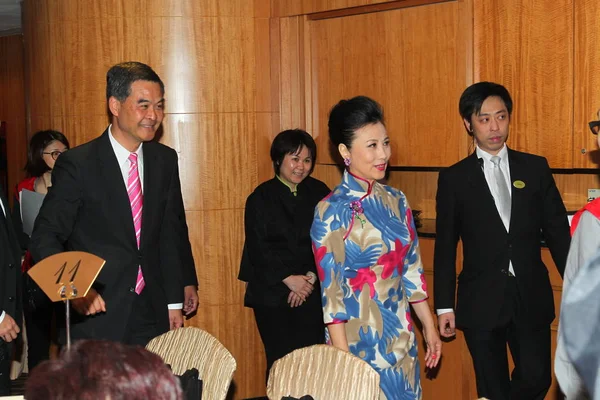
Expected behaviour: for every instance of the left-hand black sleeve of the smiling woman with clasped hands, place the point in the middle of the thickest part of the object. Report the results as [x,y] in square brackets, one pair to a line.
[268,266]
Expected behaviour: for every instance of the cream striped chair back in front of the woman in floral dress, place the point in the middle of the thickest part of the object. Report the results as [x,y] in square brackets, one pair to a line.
[323,372]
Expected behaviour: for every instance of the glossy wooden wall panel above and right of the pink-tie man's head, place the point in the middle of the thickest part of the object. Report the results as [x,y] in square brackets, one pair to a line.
[215,64]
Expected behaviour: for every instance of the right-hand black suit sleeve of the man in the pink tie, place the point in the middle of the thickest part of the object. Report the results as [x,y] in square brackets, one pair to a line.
[176,261]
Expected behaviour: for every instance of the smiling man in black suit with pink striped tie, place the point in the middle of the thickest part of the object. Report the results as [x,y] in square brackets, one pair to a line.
[119,197]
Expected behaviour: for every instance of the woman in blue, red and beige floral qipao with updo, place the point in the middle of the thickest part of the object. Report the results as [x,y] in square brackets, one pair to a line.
[368,258]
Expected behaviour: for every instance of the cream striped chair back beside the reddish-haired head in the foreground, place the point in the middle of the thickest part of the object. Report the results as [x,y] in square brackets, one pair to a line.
[192,347]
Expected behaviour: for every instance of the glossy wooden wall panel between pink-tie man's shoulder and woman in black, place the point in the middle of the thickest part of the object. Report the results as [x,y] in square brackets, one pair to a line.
[217,158]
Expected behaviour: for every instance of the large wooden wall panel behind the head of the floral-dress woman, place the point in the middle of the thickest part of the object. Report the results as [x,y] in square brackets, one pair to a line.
[413,71]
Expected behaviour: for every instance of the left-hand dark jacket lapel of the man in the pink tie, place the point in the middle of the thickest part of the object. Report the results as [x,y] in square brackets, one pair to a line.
[116,191]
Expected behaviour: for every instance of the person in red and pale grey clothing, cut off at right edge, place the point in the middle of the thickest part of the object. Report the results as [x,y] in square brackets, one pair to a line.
[585,242]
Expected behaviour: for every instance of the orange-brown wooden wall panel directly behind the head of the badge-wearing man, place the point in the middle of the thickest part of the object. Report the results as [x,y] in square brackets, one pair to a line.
[527,45]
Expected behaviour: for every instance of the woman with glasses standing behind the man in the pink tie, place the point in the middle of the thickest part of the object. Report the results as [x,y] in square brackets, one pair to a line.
[44,149]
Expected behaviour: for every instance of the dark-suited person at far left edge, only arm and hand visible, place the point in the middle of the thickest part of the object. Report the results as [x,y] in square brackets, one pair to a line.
[10,296]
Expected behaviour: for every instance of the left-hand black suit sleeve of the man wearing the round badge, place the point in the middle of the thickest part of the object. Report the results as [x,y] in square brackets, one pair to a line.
[444,260]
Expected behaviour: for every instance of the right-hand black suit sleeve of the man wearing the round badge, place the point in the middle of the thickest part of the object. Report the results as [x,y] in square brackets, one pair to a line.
[555,225]
